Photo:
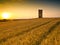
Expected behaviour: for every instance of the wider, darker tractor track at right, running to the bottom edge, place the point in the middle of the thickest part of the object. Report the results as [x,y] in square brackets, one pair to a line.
[44,35]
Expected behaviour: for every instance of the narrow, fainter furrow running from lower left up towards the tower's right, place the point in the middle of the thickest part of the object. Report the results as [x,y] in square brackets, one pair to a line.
[23,32]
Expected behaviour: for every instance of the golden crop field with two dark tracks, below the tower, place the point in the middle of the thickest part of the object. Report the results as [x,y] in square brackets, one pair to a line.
[43,31]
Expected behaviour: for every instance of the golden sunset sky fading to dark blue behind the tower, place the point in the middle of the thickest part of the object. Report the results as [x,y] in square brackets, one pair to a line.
[26,9]
